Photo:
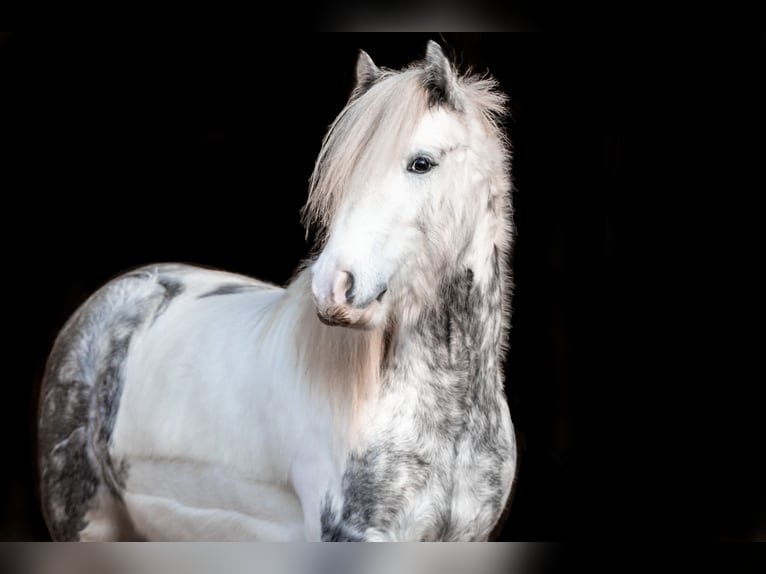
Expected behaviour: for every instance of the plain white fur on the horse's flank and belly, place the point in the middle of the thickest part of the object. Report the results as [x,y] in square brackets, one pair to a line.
[207,387]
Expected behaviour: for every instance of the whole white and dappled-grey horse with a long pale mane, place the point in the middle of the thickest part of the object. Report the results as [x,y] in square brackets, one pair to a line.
[362,401]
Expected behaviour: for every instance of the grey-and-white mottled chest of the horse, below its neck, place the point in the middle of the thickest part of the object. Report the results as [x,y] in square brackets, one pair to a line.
[425,471]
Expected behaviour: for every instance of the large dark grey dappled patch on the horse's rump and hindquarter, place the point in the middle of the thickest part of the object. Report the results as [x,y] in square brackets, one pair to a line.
[80,399]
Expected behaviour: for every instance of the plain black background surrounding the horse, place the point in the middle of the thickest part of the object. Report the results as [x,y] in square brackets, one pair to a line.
[634,159]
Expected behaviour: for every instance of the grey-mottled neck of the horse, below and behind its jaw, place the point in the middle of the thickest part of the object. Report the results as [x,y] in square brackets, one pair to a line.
[460,335]
